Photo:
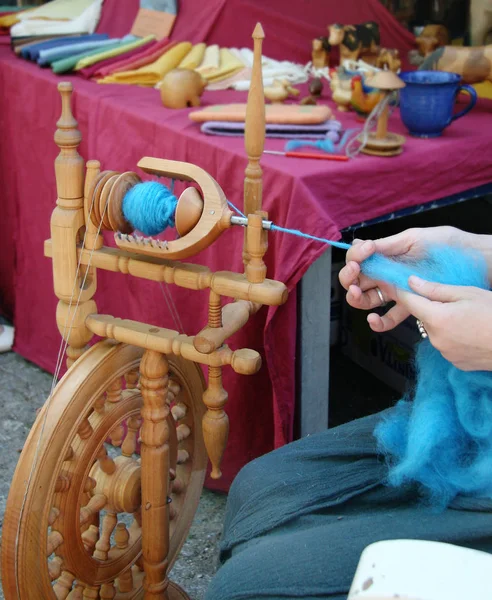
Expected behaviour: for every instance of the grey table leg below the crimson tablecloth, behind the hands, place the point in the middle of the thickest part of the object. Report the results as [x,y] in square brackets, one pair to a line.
[314,347]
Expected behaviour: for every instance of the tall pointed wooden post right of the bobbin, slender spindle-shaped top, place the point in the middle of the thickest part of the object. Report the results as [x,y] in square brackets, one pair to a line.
[254,135]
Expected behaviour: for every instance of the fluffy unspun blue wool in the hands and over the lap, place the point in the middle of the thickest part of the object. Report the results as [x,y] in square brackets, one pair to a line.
[440,435]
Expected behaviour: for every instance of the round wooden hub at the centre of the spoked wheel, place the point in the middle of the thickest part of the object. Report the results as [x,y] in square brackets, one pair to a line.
[121,488]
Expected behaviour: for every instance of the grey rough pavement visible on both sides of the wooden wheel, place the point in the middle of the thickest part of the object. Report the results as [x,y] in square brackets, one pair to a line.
[24,388]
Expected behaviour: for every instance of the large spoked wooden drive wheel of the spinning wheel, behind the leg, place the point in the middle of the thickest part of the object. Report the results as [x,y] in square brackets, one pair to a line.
[84,498]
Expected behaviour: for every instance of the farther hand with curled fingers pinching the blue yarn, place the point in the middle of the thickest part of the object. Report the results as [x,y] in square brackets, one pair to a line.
[362,291]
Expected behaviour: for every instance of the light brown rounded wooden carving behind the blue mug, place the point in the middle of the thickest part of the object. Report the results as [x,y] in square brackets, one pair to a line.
[474,64]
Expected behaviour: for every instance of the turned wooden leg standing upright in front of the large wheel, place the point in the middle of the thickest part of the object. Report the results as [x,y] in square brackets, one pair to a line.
[155,468]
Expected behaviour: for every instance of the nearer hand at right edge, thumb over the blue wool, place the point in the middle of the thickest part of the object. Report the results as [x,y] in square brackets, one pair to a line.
[457,319]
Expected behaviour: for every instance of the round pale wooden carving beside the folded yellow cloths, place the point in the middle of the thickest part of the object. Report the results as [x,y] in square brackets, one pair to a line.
[182,88]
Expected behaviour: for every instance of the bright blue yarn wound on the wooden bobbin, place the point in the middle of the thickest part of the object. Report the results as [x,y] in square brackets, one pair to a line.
[149,207]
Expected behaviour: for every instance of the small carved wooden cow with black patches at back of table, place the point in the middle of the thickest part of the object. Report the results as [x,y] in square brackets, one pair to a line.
[356,40]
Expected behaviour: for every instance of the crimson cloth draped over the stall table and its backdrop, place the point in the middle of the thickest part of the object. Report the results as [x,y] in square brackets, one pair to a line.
[122,124]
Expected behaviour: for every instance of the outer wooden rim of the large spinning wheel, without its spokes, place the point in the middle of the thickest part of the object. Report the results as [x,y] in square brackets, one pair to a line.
[20,560]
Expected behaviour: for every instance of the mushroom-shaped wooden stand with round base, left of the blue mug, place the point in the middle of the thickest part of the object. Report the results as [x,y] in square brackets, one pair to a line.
[382,142]
